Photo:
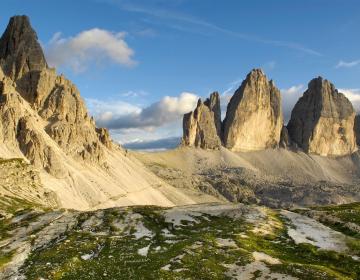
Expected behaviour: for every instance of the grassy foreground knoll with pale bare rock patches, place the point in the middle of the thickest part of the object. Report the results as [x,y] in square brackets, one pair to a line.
[207,241]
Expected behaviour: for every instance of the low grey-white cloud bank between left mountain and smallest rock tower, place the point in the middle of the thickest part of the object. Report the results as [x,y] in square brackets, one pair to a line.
[122,115]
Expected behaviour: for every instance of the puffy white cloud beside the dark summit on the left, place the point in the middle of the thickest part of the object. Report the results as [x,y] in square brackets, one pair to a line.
[94,45]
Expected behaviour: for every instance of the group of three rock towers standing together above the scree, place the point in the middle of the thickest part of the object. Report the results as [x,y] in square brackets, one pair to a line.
[322,121]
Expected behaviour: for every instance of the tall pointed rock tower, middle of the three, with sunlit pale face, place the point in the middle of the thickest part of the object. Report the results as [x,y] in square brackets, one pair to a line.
[254,116]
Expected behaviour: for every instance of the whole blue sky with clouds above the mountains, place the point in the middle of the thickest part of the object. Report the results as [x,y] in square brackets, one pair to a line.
[141,64]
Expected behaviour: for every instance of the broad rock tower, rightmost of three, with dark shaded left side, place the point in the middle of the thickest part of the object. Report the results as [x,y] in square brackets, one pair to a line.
[322,121]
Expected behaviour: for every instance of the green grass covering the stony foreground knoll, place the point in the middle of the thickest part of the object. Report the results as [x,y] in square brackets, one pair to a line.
[191,253]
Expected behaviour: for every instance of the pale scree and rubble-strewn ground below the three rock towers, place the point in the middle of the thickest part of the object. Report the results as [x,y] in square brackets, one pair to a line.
[276,178]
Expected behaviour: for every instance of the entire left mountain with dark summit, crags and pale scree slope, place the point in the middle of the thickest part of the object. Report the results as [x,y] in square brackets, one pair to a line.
[43,119]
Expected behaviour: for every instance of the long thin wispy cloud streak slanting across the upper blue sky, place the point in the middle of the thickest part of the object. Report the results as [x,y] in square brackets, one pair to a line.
[188,19]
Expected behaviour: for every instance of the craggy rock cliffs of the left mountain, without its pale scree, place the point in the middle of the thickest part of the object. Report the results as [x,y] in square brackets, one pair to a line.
[55,99]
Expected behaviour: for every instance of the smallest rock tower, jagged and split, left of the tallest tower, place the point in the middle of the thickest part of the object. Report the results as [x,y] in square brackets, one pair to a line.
[201,128]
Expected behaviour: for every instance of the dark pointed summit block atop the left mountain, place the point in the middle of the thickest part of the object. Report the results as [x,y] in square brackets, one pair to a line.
[20,51]
